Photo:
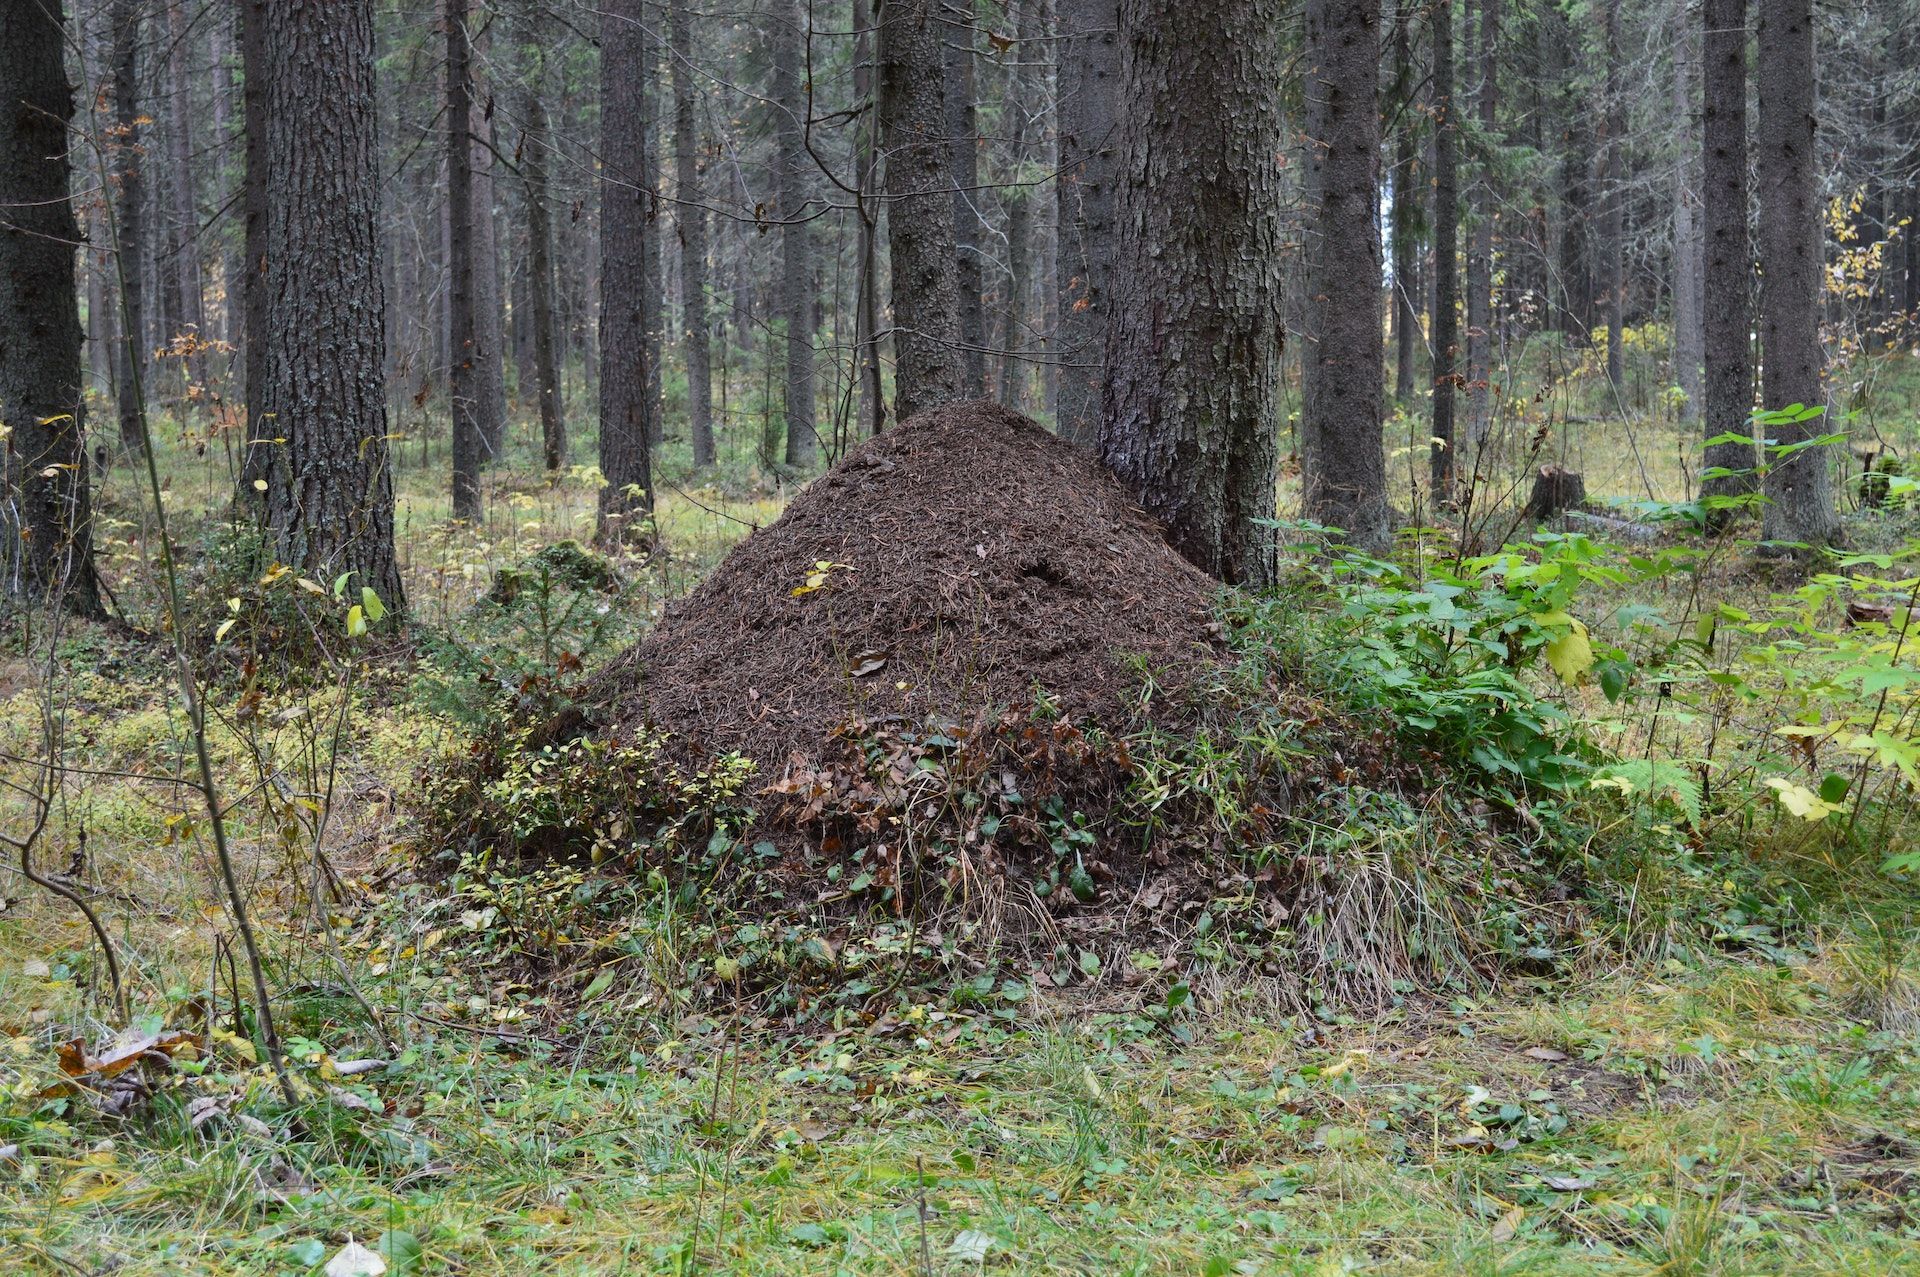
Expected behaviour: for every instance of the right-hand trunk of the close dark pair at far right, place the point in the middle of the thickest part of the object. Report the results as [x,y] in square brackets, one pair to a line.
[1800,496]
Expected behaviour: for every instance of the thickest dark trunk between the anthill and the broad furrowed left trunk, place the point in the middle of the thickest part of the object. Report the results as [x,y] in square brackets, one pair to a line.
[625,178]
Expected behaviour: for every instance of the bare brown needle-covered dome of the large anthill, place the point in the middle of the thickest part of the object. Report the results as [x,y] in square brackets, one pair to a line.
[965,564]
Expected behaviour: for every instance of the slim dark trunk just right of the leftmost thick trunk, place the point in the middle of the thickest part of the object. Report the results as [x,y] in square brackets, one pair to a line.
[130,181]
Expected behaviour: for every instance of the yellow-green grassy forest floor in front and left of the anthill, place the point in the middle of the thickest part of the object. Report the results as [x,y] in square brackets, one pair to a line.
[1740,1103]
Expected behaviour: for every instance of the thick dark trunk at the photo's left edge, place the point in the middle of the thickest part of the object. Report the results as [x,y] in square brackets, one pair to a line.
[49,519]
